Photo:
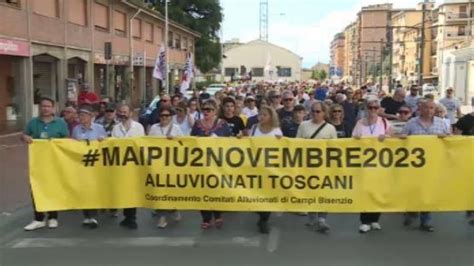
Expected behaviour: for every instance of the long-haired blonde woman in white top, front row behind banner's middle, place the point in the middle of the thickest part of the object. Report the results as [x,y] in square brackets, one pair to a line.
[268,126]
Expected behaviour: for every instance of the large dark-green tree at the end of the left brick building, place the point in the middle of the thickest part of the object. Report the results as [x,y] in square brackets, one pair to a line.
[204,17]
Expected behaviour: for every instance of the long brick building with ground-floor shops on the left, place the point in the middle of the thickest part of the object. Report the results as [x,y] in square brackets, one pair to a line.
[49,47]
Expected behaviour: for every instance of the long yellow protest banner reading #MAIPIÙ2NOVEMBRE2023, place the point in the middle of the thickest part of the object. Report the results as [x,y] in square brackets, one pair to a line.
[255,174]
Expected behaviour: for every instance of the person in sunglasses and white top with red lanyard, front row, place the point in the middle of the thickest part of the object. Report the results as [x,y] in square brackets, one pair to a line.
[372,125]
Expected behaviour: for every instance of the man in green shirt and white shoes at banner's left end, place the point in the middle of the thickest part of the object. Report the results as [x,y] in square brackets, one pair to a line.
[46,126]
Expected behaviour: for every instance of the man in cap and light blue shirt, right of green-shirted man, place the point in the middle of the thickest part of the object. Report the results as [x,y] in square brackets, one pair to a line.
[87,130]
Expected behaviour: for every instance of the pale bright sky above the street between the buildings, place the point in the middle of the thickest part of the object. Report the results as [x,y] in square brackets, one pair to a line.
[305,27]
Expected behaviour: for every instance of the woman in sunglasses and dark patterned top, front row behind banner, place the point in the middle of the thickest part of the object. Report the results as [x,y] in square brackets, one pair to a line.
[211,126]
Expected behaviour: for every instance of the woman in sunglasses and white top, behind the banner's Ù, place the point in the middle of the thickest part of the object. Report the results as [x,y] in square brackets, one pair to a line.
[169,130]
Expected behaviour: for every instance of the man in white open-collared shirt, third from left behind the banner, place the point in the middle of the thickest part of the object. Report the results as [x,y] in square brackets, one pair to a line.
[127,128]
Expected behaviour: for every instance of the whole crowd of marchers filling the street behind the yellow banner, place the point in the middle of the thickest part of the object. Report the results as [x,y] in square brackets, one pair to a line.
[293,110]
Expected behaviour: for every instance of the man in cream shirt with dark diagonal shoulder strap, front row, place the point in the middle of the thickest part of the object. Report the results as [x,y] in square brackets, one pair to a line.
[317,128]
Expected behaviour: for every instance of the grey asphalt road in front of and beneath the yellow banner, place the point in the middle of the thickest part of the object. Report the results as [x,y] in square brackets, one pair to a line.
[237,243]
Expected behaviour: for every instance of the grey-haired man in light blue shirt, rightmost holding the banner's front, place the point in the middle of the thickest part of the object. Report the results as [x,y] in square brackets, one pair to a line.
[425,124]
